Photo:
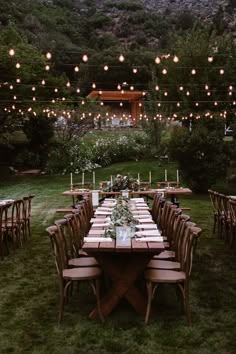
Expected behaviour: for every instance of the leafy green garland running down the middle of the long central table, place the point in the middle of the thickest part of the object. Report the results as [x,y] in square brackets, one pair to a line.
[121,216]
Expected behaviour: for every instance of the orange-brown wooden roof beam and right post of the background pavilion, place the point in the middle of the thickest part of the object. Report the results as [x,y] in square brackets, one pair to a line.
[133,97]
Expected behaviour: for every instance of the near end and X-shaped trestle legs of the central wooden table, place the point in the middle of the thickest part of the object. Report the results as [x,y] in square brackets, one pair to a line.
[123,265]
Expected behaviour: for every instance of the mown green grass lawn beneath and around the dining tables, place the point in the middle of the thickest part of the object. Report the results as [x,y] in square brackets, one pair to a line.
[29,291]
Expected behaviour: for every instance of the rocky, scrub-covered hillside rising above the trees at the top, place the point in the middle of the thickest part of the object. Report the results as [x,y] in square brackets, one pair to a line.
[73,24]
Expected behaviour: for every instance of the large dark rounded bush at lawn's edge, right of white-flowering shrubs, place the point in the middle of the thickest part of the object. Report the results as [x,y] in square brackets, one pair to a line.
[203,156]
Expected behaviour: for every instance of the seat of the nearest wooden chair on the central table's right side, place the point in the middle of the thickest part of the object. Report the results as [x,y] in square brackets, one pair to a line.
[164,276]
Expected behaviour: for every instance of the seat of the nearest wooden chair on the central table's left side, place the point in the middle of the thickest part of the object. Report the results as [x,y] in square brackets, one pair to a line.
[82,273]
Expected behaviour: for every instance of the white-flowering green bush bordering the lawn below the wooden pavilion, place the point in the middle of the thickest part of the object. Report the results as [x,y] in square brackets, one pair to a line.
[77,155]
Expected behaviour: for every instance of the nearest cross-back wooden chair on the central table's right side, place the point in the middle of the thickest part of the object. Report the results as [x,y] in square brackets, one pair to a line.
[181,278]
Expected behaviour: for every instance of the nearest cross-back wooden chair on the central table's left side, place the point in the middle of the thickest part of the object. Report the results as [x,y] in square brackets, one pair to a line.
[67,275]
